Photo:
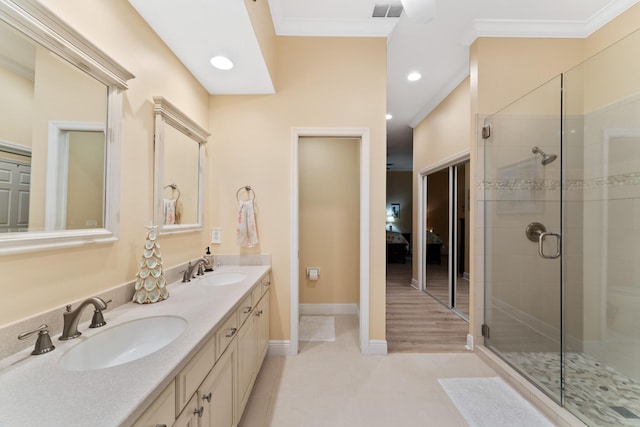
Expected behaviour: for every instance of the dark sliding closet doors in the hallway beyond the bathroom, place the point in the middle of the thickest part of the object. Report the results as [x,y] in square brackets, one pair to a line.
[444,260]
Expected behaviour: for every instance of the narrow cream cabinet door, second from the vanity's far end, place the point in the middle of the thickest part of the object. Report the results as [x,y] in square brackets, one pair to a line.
[247,361]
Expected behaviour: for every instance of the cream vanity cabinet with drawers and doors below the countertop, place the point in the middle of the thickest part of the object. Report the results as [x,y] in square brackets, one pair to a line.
[214,386]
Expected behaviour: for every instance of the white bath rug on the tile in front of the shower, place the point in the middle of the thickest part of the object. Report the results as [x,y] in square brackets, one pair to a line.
[491,402]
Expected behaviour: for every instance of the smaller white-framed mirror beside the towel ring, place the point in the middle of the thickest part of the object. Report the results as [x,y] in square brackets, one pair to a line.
[179,167]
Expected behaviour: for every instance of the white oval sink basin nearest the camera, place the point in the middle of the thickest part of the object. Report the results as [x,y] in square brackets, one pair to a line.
[123,343]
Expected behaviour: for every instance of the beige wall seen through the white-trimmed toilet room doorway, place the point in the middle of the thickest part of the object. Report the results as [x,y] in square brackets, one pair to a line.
[329,221]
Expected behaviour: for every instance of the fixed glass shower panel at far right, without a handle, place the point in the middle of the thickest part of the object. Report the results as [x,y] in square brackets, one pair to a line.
[601,249]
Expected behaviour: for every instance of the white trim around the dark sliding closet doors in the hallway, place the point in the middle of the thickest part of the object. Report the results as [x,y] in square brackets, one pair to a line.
[453,160]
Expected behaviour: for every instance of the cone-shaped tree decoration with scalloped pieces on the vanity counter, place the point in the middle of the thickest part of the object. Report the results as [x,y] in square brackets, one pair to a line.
[151,285]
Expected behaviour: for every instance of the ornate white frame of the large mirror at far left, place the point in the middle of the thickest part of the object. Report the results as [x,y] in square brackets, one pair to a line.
[40,25]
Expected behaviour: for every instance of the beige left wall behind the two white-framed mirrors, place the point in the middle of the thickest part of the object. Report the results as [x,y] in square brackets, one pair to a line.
[35,282]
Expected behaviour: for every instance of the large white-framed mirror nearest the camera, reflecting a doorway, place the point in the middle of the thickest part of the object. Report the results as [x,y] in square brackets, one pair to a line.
[60,117]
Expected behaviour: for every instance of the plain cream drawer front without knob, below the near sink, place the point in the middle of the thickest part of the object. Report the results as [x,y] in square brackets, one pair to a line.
[190,378]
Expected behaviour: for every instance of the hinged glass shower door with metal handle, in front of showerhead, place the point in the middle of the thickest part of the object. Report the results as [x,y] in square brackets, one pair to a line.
[522,211]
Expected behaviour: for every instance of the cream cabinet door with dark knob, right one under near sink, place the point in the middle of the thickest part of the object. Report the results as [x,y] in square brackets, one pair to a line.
[216,392]
